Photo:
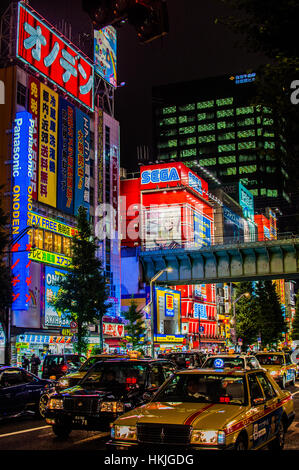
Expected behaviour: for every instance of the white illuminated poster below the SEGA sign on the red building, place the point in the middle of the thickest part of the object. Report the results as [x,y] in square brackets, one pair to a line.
[163,227]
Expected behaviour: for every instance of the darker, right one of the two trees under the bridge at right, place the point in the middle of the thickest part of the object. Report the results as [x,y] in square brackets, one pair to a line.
[270,320]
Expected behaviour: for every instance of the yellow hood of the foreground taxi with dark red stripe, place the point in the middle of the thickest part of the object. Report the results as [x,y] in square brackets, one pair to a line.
[199,415]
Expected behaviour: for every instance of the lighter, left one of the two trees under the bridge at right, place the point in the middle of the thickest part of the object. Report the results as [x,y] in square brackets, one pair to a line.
[245,309]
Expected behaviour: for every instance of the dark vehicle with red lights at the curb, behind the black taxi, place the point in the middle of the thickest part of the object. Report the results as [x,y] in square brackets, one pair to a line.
[57,365]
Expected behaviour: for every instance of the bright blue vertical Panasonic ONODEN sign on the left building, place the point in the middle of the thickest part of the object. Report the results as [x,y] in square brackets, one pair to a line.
[22,173]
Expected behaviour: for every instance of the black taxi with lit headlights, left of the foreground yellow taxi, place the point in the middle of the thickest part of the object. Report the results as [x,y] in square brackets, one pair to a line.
[109,389]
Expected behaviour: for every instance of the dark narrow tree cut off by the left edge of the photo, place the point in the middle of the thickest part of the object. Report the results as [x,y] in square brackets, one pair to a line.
[5,281]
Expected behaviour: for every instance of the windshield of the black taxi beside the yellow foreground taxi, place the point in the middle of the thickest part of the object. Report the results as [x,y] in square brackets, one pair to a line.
[105,376]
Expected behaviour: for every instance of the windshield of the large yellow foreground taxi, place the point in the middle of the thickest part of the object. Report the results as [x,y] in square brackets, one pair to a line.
[203,388]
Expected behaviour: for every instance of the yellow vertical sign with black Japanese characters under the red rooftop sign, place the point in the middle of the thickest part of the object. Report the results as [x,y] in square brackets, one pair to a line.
[48,132]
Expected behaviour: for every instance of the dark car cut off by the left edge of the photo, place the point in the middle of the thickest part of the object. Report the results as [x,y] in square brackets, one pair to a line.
[20,391]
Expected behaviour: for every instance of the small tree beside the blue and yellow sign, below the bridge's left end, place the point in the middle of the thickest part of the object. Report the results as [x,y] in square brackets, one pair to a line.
[134,328]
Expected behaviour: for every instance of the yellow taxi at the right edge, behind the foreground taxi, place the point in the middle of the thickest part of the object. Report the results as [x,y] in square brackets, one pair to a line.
[279,365]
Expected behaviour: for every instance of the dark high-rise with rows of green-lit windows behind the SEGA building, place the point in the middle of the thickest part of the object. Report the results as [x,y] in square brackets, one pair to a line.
[211,123]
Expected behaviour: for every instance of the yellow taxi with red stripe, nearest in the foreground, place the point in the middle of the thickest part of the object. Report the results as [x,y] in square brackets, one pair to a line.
[204,409]
